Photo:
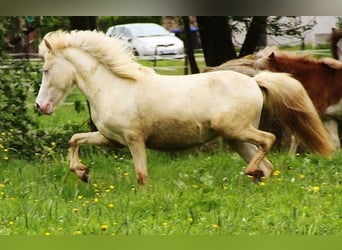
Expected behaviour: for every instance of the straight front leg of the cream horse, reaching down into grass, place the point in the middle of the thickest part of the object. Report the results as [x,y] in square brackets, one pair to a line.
[136,145]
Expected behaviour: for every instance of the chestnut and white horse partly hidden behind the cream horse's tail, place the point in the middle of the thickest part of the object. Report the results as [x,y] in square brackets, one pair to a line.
[321,78]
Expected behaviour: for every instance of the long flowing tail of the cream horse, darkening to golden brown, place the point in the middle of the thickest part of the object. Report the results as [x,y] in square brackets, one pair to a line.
[286,99]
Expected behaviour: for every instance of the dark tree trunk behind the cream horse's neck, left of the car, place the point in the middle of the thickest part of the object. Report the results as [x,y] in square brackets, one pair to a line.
[85,23]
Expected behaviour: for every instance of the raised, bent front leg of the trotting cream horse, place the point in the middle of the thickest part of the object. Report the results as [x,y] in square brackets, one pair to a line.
[96,138]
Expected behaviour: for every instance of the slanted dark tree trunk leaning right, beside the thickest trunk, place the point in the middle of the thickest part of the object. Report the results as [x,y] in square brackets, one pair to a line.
[255,36]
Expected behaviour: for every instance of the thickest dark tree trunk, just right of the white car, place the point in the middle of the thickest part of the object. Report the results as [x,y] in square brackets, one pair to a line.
[216,39]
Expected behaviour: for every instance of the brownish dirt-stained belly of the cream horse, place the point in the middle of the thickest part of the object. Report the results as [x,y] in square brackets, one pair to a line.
[179,135]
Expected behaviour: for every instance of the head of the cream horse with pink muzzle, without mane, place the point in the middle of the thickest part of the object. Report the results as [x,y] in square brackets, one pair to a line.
[57,80]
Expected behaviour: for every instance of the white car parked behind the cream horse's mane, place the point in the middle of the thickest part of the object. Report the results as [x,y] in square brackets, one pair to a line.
[149,40]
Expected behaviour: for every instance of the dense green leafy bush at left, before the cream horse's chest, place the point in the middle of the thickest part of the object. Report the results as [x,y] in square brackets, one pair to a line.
[20,136]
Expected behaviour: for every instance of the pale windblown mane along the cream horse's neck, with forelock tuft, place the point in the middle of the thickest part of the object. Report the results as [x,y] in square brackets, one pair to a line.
[111,52]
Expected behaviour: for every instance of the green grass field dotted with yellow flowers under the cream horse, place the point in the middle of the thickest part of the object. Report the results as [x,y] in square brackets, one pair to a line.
[200,192]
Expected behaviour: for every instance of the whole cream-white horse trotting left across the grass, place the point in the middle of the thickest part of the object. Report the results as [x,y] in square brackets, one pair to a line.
[134,106]
